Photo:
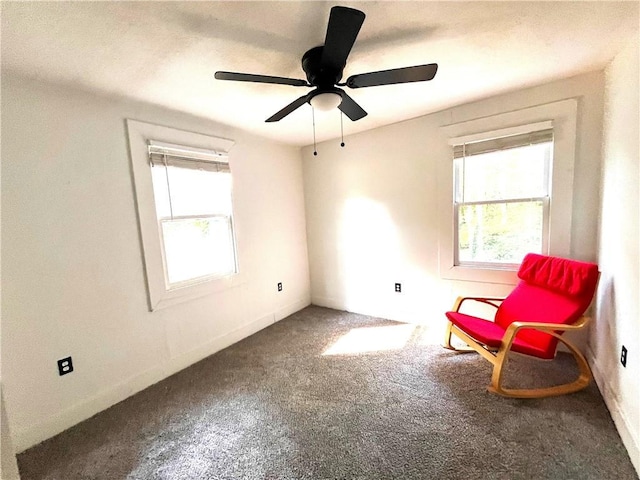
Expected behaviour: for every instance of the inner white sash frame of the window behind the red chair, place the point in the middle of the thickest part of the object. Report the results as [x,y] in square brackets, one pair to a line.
[545,199]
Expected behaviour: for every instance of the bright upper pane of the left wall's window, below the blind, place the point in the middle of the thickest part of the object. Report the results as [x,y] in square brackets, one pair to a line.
[193,191]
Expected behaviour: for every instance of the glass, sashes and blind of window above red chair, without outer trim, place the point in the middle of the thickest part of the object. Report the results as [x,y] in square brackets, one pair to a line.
[501,198]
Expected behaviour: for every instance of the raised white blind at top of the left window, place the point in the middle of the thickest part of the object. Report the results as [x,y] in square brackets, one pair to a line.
[167,154]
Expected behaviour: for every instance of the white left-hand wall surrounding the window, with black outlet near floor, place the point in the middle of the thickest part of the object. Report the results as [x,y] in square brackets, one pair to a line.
[73,281]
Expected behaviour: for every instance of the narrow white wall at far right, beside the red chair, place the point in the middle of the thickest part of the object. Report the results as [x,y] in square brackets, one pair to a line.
[618,311]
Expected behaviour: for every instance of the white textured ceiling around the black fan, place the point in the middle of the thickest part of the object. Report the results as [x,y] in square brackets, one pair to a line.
[166,53]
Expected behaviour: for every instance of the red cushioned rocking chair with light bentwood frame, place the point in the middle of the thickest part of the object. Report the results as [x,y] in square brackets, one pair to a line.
[551,298]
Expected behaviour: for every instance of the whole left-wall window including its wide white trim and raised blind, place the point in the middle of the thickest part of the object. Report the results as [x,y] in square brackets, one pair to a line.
[183,195]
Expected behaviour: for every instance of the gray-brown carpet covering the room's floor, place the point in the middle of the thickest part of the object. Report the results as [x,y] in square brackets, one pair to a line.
[274,407]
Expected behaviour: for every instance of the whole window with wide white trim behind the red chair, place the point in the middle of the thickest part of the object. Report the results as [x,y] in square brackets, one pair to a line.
[490,178]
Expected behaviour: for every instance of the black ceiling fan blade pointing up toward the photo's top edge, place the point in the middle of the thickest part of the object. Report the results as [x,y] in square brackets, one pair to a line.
[342,30]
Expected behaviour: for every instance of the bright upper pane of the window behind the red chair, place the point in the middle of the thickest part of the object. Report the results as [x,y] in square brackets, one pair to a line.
[508,174]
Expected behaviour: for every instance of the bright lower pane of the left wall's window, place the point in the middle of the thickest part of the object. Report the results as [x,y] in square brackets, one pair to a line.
[198,247]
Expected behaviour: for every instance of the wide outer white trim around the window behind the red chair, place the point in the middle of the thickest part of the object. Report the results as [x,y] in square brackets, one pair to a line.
[562,116]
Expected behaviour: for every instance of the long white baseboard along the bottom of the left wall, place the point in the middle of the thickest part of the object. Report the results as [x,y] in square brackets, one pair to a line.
[26,438]
